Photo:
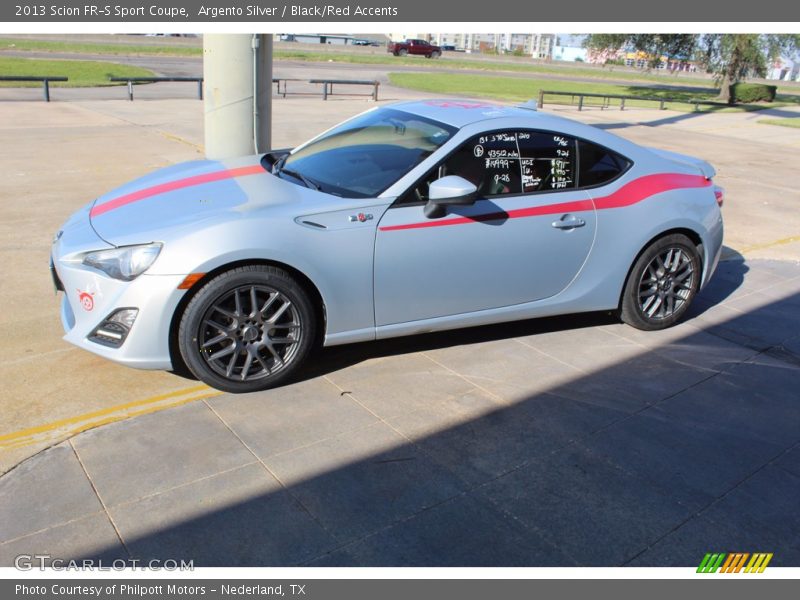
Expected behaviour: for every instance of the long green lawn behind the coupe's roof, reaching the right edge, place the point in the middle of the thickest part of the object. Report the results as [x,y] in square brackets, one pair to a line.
[517,89]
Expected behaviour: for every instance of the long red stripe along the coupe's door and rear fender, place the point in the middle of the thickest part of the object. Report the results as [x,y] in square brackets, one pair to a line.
[631,193]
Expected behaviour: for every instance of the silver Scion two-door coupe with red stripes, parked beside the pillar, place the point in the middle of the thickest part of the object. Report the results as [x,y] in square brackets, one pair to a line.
[408,218]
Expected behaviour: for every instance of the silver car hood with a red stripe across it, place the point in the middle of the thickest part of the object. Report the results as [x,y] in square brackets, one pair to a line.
[187,196]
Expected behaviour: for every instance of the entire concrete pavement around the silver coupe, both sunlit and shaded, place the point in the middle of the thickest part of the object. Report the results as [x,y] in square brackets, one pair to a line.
[565,441]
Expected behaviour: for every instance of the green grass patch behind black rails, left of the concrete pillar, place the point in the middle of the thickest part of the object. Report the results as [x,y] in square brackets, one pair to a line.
[81,73]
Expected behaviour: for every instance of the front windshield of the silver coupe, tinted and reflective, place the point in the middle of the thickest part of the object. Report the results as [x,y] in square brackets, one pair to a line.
[364,156]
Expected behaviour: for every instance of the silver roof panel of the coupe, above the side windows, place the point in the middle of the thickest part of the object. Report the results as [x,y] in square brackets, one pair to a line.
[459,112]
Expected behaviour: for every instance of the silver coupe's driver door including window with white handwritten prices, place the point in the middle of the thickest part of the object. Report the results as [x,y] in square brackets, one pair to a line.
[524,239]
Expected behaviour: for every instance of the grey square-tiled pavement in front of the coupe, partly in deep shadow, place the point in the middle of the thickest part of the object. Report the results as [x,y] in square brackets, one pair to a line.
[568,441]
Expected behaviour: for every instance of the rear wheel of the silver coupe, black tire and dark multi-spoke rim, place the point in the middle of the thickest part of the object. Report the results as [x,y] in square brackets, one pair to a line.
[661,284]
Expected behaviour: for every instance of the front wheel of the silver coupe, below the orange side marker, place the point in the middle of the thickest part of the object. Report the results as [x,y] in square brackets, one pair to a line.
[247,329]
